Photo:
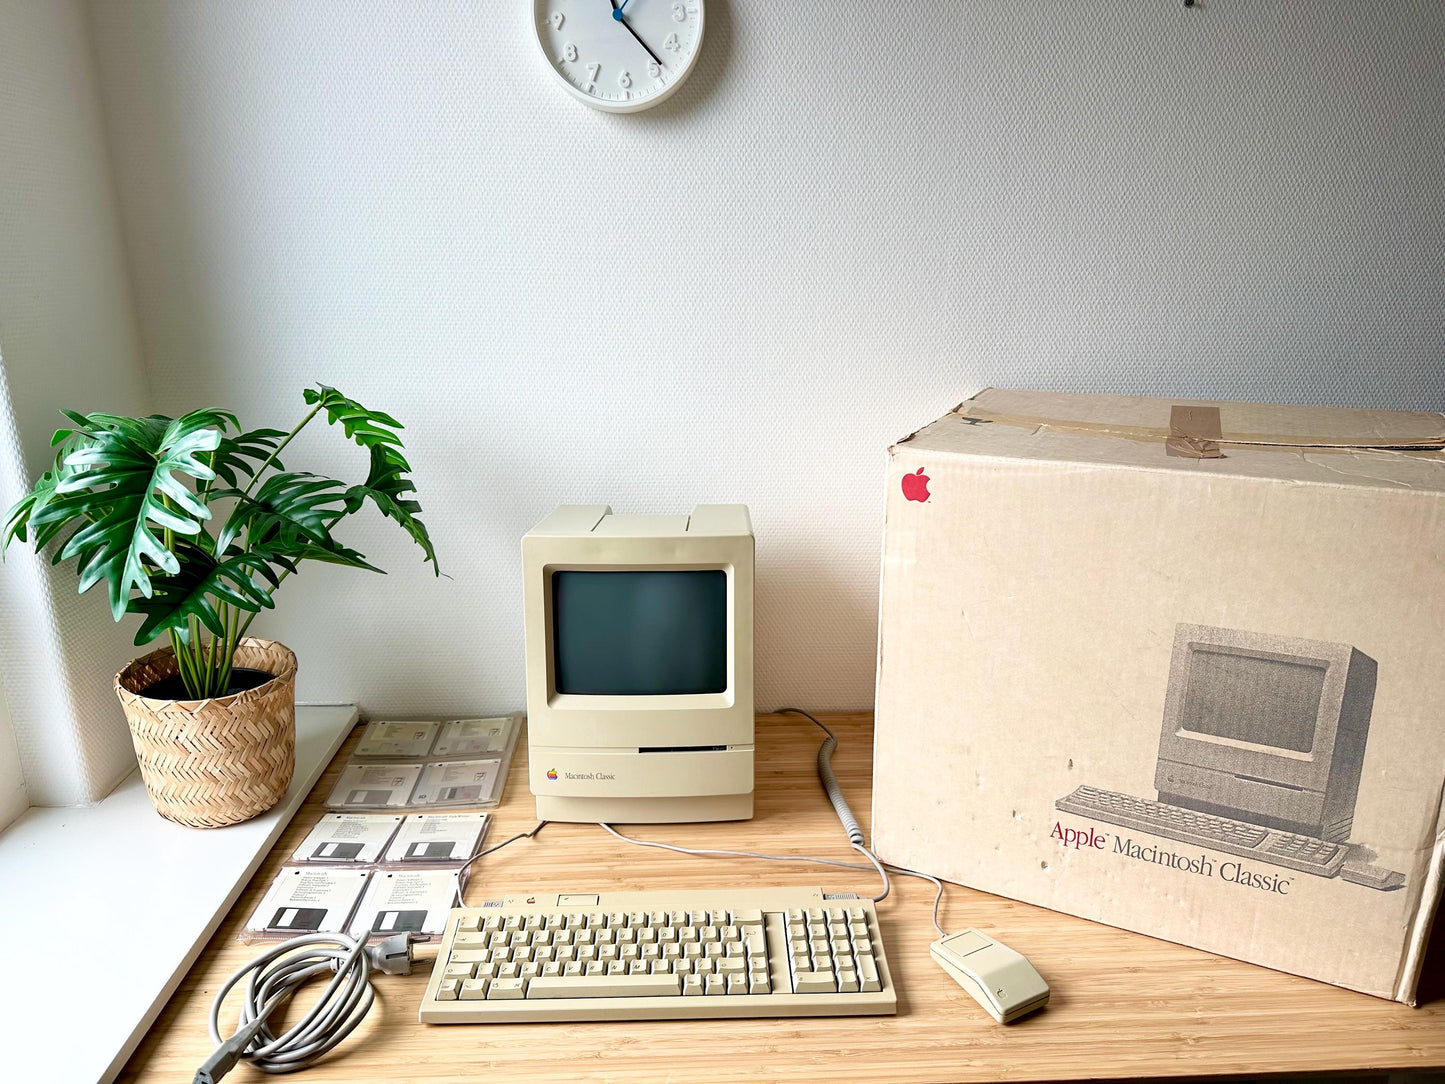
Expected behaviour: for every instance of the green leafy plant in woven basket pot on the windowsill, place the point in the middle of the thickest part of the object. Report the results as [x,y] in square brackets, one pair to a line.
[134,501]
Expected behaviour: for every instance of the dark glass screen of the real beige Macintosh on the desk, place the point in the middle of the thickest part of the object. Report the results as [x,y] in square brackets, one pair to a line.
[639,634]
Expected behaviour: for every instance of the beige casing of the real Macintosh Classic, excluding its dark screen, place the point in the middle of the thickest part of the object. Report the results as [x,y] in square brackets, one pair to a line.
[671,760]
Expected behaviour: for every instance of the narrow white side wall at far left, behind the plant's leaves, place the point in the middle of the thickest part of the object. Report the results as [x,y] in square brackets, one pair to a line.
[69,337]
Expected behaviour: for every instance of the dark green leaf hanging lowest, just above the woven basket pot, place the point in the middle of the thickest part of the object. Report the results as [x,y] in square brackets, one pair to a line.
[202,583]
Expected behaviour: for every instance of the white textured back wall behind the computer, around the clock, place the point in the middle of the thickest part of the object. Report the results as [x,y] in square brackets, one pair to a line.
[849,220]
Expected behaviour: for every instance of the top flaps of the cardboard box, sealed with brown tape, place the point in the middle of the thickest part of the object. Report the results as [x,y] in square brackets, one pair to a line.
[1142,418]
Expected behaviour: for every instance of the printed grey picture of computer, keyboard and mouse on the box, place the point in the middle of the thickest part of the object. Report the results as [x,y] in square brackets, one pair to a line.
[1261,757]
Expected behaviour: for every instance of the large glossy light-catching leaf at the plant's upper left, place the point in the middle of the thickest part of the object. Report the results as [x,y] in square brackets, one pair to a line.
[122,481]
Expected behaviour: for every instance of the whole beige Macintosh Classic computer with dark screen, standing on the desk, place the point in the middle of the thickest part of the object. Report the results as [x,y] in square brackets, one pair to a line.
[639,644]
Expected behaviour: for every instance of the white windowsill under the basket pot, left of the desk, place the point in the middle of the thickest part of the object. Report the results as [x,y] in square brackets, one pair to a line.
[105,908]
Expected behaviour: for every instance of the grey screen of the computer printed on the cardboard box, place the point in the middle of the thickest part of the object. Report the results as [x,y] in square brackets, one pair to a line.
[1267,700]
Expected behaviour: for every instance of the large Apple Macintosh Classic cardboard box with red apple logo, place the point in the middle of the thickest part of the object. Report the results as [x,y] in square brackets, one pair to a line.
[1176,667]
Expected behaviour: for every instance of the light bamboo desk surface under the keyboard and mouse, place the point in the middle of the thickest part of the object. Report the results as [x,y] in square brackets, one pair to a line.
[1123,1005]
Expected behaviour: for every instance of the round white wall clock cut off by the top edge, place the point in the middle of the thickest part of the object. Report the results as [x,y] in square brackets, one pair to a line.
[619,56]
